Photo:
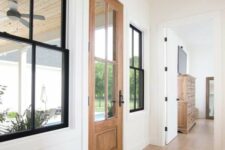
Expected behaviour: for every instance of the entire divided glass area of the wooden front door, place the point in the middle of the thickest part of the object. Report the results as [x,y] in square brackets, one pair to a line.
[104,61]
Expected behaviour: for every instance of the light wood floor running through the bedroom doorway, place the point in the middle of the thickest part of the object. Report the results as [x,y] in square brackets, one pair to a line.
[200,138]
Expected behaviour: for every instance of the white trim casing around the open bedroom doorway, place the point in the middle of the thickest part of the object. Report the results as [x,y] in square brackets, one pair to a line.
[216,19]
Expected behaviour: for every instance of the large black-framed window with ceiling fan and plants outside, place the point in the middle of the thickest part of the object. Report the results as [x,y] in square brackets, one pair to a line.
[34,66]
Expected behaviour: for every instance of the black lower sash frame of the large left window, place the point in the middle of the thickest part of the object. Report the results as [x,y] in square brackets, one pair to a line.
[65,87]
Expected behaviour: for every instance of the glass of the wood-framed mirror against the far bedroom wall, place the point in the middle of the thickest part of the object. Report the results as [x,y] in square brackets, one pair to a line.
[211,98]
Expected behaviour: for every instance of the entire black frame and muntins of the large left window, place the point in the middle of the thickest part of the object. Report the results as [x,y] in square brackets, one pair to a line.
[65,75]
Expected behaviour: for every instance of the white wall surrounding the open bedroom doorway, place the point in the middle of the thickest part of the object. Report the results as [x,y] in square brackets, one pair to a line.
[162,12]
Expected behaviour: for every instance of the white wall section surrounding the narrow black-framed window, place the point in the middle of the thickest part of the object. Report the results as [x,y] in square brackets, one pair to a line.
[136,125]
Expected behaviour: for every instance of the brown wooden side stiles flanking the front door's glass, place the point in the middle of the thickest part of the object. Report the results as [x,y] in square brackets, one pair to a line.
[91,81]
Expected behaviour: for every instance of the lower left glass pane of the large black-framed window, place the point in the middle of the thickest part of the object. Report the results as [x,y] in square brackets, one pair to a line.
[15,87]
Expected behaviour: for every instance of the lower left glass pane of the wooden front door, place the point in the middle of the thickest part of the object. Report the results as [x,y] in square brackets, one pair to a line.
[99,91]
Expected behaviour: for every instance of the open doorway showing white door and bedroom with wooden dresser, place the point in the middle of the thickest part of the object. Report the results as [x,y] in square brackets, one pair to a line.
[190,58]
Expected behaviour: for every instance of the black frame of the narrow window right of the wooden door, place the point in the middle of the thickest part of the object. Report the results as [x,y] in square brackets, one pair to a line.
[138,69]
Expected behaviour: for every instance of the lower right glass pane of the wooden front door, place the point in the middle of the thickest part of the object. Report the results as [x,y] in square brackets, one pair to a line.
[111,90]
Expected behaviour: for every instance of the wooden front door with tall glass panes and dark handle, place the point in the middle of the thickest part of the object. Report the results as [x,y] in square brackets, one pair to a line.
[105,75]
